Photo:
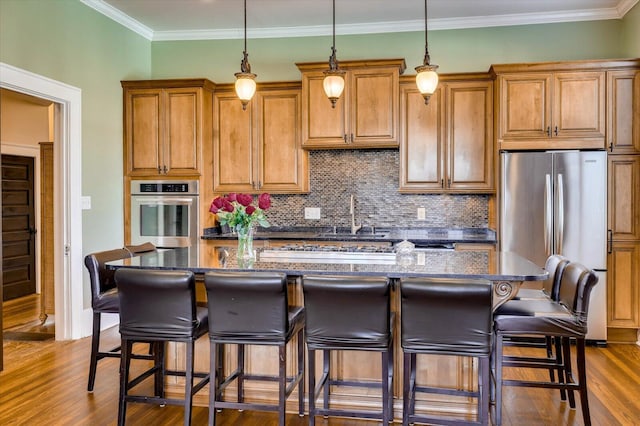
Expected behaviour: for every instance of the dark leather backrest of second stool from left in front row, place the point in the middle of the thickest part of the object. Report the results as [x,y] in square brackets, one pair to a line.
[250,304]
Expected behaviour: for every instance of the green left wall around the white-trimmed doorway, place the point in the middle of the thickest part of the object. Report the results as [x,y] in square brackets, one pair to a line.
[70,42]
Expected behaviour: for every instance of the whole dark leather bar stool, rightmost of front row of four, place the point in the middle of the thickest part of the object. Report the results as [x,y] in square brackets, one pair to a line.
[445,317]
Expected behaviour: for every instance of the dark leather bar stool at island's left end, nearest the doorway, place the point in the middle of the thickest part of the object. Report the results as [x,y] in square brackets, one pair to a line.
[104,299]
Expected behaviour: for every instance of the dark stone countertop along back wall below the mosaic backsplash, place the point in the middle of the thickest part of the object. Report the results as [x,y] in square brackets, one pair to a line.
[421,237]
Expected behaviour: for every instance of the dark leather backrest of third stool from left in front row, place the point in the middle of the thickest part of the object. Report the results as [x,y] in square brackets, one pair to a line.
[347,312]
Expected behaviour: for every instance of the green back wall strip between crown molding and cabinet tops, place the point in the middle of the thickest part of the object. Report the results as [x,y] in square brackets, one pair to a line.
[453,50]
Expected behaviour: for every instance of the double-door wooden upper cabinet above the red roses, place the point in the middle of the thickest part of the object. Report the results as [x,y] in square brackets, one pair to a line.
[259,149]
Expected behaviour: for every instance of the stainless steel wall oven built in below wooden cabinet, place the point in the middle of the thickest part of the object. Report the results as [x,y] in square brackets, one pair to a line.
[164,213]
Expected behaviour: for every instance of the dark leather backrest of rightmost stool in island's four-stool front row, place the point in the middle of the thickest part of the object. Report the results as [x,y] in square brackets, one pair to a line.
[447,316]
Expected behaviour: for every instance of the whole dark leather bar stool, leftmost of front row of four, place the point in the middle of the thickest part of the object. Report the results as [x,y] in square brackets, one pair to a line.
[157,307]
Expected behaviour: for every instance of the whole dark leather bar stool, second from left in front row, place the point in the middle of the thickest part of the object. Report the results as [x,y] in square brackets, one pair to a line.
[251,308]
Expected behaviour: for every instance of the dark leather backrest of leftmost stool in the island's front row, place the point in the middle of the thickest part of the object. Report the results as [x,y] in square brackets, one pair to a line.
[156,305]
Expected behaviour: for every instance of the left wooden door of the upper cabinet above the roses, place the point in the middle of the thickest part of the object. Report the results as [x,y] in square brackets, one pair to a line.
[233,154]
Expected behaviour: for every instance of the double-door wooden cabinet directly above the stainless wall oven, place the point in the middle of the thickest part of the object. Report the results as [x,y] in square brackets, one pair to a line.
[165,125]
